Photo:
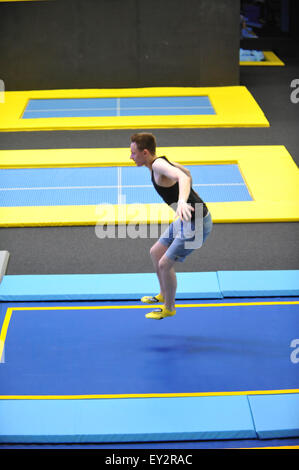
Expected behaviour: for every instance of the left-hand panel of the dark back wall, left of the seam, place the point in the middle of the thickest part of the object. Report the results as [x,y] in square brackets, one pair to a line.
[67,44]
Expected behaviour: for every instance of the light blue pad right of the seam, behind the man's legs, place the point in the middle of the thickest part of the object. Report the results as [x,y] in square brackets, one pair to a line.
[259,283]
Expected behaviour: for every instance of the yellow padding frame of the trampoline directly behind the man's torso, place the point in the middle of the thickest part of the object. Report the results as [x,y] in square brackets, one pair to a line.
[270,173]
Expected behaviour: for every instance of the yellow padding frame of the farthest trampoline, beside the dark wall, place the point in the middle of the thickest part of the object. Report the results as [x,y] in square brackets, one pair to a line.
[234,107]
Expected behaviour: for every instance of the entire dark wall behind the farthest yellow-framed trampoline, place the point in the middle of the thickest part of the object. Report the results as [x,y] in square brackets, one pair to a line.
[119,43]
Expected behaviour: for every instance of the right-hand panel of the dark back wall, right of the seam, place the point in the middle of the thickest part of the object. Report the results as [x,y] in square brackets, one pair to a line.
[189,43]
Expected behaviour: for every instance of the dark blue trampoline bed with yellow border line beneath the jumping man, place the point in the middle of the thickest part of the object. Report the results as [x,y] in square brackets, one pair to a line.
[70,349]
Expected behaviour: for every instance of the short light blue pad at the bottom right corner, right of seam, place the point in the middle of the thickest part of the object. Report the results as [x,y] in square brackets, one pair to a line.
[275,415]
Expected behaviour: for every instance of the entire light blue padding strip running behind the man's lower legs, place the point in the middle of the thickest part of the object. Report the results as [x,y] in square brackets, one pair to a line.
[132,285]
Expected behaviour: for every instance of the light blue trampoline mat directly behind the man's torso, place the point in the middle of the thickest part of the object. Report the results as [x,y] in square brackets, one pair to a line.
[111,185]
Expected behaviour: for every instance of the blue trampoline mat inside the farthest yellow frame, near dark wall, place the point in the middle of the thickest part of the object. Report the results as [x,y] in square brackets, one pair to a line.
[97,107]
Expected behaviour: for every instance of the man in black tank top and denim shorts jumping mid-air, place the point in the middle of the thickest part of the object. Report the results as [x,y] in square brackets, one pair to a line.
[192,225]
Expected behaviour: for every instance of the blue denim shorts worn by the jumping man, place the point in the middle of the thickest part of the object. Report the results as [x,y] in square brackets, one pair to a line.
[182,238]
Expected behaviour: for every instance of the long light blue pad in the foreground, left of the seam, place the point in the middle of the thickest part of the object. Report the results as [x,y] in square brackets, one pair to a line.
[126,420]
